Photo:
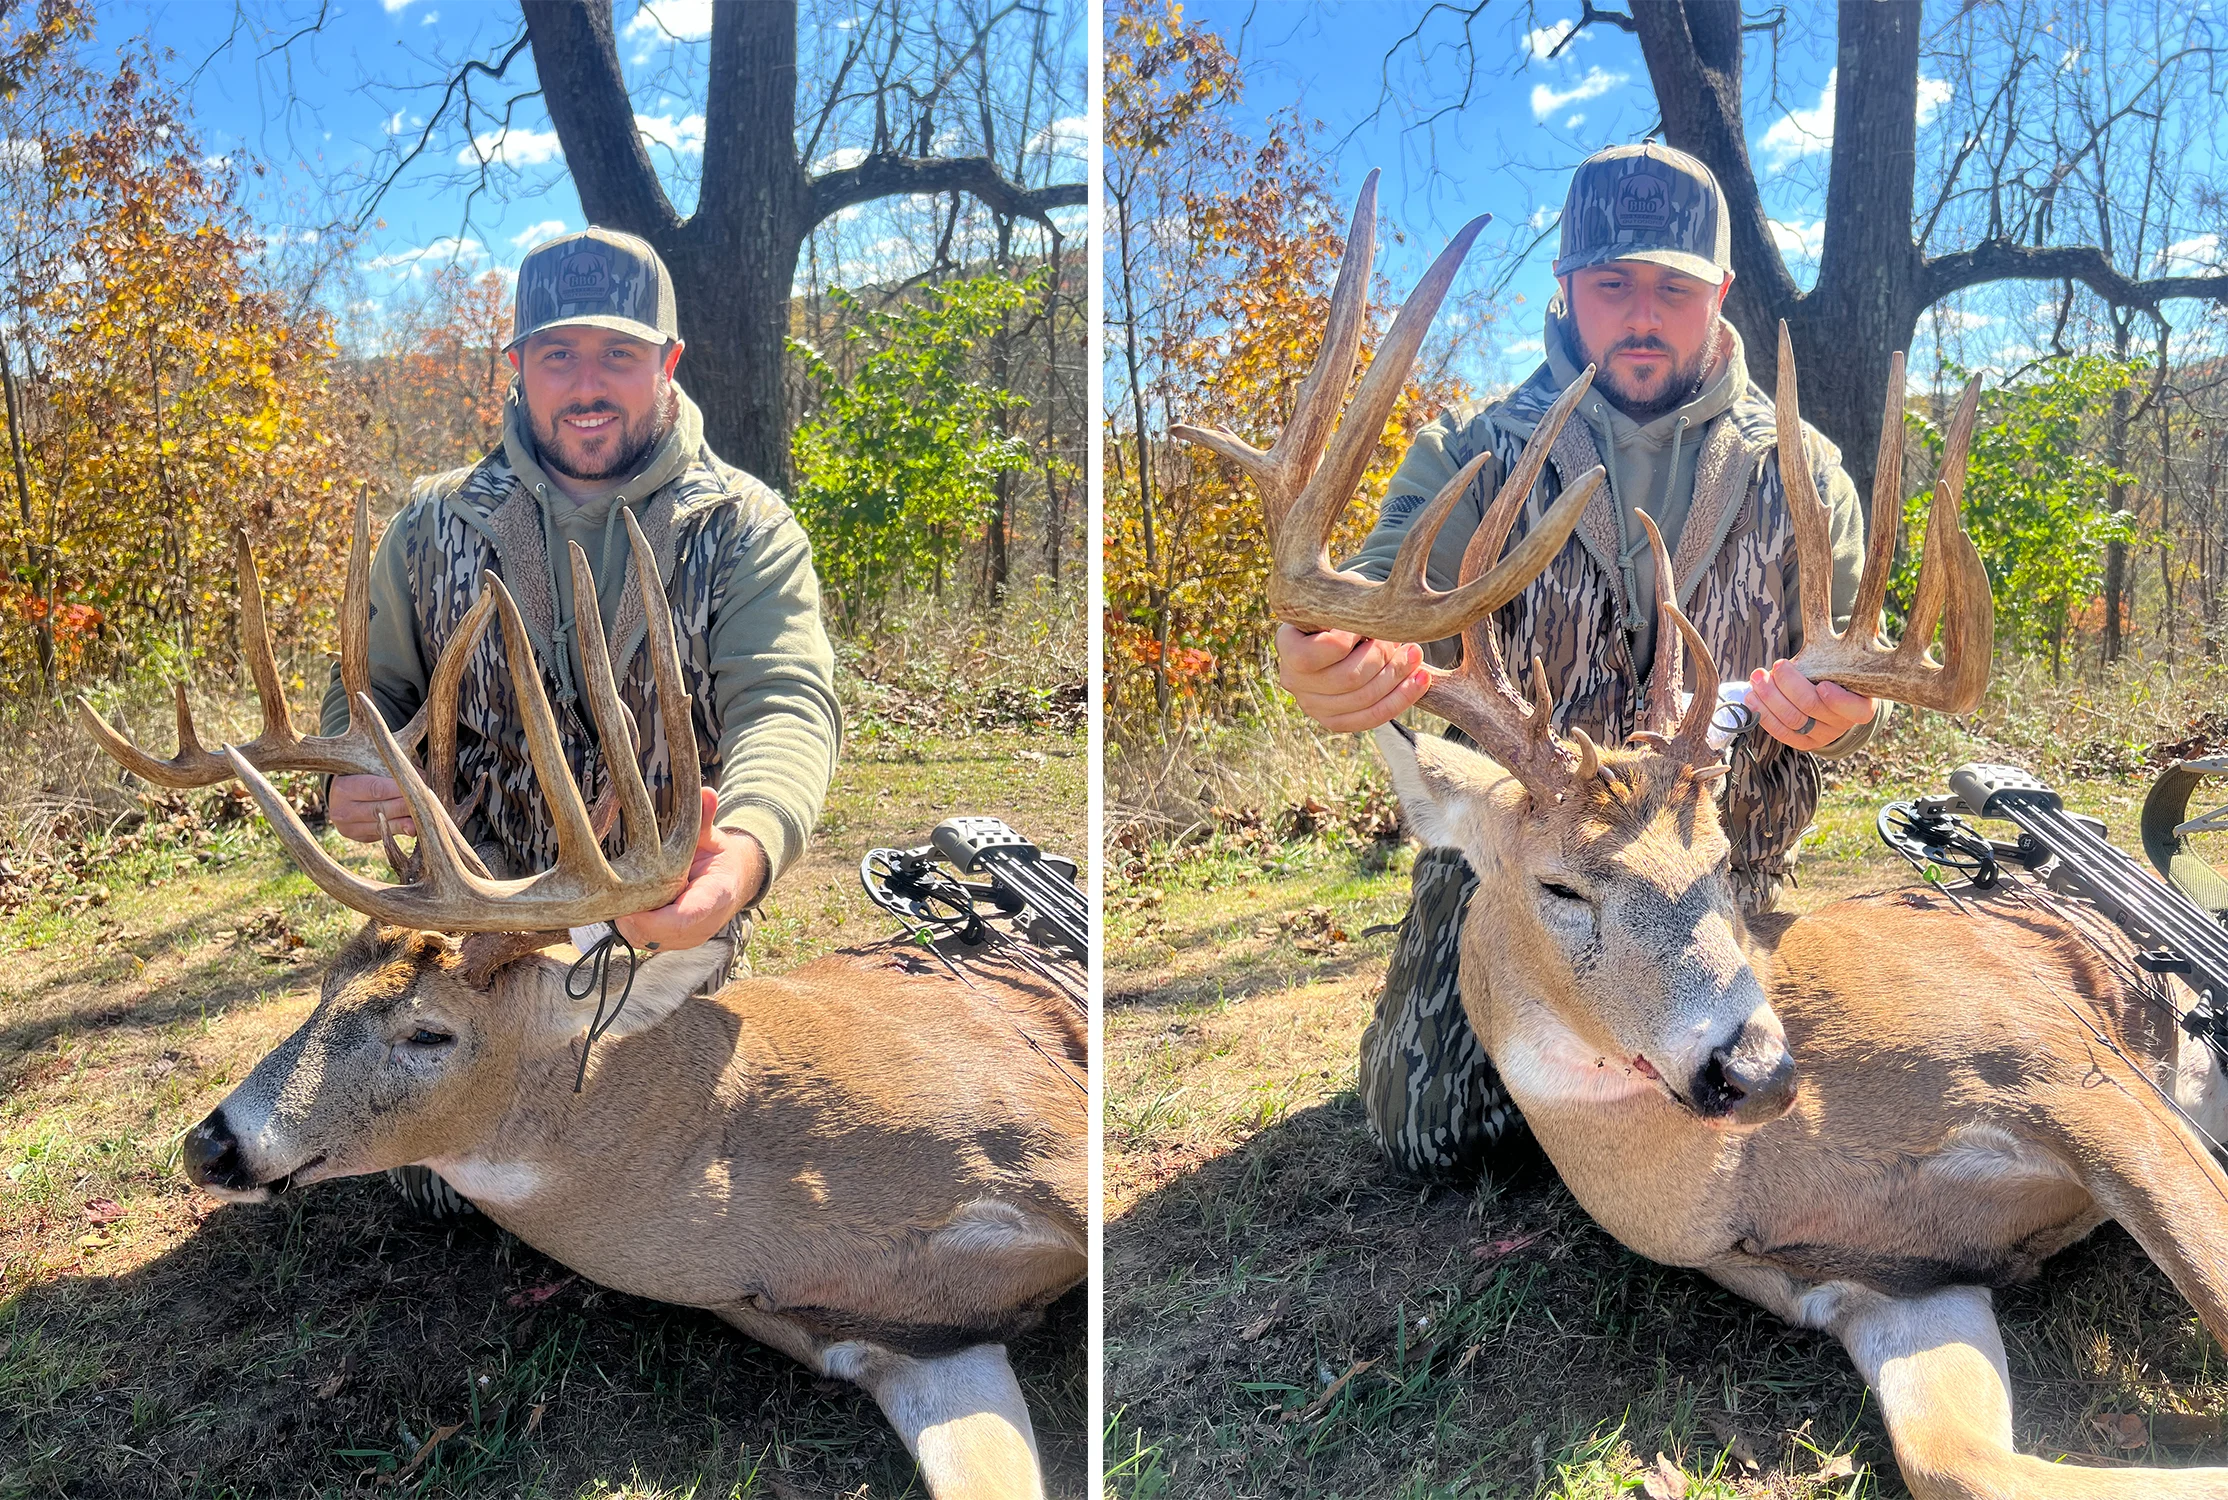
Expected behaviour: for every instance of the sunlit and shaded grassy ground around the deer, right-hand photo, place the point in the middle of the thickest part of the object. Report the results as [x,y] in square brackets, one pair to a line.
[1289,1318]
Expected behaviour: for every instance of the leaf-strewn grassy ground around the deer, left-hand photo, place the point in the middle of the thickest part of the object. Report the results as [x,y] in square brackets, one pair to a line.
[329,1345]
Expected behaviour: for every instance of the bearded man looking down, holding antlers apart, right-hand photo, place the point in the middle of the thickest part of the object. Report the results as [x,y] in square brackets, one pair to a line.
[1643,269]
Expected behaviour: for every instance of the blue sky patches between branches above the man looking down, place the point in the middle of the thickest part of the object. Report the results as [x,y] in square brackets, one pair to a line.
[1530,119]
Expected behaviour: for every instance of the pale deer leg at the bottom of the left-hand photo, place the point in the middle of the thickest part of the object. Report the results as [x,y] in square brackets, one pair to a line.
[961,1416]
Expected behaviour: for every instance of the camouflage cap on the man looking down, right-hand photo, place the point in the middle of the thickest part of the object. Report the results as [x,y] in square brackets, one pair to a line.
[1645,204]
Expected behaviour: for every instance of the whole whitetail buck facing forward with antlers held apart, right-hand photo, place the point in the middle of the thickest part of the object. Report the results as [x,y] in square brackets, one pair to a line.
[1786,1104]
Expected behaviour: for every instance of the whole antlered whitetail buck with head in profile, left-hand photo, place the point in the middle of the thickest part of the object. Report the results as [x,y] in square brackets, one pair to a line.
[868,1165]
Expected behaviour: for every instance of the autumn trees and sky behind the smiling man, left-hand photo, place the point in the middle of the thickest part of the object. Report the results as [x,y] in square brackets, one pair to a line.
[177,369]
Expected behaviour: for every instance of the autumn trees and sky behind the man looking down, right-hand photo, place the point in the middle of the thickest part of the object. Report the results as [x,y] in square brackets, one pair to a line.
[2069,173]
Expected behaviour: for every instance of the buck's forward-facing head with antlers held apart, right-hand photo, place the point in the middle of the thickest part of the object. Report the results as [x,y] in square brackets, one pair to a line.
[1605,951]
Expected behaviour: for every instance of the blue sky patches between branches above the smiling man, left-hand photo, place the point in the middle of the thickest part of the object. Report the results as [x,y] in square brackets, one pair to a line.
[329,110]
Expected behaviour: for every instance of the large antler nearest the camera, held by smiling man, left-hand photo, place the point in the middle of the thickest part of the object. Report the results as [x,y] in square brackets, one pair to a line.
[451,895]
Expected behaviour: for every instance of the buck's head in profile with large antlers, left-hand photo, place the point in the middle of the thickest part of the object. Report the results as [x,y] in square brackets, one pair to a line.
[422,1040]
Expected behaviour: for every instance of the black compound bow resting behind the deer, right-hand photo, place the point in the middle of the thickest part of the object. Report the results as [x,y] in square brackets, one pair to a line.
[2176,924]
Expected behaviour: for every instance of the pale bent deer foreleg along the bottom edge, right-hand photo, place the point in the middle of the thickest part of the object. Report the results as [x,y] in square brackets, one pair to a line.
[1937,1370]
